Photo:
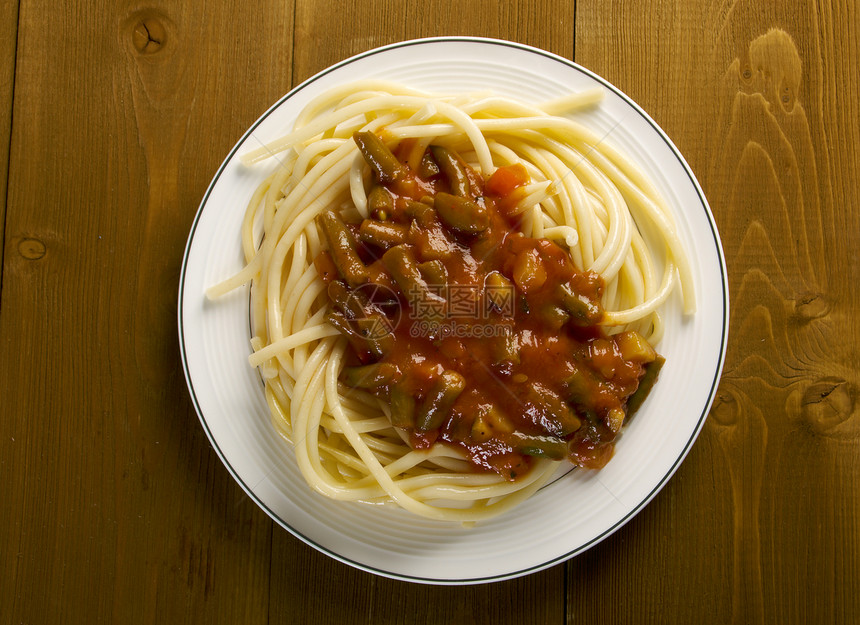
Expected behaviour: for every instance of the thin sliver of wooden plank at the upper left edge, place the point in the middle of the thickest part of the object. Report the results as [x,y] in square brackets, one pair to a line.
[8,43]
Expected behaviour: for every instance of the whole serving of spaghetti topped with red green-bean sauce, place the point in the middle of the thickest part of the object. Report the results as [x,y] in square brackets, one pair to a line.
[453,294]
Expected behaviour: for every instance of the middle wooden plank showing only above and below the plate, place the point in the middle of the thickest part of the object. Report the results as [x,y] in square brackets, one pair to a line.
[323,38]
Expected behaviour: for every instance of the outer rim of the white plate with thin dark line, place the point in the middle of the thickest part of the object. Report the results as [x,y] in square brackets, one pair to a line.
[634,510]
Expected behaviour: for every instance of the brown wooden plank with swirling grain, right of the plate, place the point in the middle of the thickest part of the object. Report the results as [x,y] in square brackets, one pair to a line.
[763,104]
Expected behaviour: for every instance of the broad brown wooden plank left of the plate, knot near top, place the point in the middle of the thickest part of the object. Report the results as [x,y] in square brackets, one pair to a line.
[115,507]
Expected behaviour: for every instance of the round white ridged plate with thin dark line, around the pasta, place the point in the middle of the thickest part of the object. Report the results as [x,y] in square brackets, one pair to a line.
[564,518]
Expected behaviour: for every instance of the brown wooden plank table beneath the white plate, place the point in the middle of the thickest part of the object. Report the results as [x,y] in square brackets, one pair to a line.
[114,506]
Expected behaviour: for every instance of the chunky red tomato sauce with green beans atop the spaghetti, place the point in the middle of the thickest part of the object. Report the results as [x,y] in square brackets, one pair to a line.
[477,335]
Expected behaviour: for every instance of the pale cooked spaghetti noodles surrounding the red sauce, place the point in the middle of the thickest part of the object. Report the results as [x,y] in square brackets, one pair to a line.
[582,193]
